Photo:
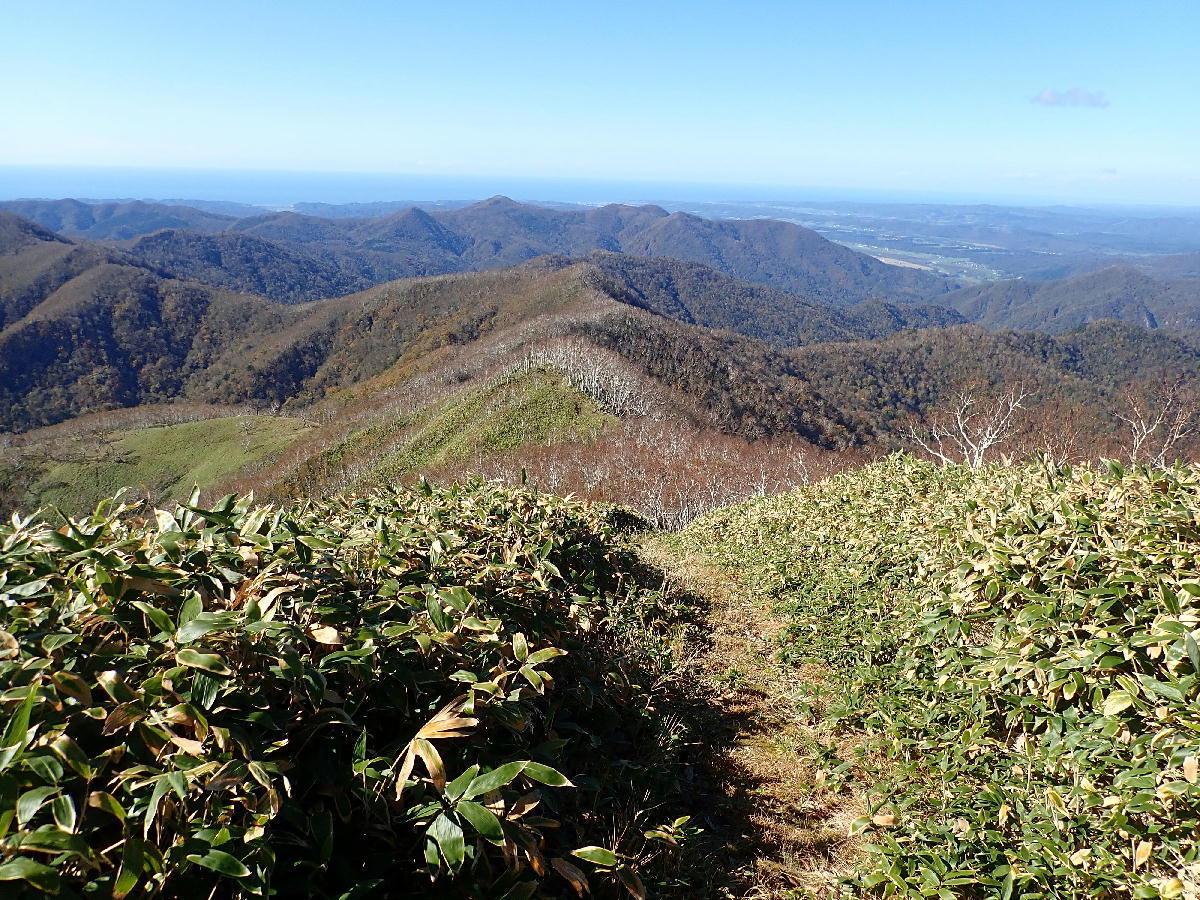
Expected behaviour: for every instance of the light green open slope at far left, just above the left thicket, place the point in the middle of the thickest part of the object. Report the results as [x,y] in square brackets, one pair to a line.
[161,464]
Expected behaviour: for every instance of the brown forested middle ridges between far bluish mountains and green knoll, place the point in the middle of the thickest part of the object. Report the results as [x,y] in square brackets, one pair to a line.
[91,328]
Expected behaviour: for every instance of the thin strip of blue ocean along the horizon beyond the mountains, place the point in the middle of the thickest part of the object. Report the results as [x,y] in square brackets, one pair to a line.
[285,189]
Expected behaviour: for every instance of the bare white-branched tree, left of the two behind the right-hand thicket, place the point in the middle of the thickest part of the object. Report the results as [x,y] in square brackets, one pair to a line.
[969,428]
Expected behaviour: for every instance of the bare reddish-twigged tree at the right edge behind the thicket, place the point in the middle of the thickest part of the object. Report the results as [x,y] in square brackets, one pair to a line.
[1160,422]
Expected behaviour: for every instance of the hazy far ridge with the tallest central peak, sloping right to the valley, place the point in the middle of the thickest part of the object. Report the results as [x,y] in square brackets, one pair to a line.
[500,232]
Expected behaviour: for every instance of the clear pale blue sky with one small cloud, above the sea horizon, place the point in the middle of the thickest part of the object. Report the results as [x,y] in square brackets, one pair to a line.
[932,98]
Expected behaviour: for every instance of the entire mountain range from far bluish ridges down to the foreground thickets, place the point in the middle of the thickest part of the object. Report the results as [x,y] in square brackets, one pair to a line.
[283,313]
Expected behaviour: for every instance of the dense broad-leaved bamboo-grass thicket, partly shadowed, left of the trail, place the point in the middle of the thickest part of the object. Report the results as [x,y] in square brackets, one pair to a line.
[341,699]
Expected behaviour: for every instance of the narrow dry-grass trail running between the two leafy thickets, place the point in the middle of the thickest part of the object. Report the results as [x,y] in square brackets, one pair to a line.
[785,830]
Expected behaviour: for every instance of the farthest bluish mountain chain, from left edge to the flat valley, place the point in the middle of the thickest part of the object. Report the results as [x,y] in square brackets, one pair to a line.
[491,235]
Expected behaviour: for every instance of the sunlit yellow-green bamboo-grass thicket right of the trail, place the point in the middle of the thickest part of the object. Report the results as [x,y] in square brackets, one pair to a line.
[1022,644]
